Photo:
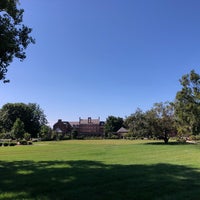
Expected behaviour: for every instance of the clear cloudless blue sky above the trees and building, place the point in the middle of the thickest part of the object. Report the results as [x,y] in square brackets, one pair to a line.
[104,57]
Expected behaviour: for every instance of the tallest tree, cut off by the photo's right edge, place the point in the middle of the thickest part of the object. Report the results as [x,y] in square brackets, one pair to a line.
[187,104]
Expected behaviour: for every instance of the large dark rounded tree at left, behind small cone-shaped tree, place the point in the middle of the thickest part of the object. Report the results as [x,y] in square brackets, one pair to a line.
[30,114]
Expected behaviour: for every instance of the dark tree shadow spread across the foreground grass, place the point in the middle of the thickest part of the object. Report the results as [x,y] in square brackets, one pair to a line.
[77,180]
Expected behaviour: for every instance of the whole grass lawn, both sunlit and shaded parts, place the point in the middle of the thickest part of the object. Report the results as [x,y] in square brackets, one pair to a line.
[100,170]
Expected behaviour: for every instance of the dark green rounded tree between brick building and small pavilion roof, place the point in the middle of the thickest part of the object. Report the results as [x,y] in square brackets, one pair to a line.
[113,124]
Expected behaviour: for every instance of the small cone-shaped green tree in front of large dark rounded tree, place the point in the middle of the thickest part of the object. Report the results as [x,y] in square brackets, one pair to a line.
[18,129]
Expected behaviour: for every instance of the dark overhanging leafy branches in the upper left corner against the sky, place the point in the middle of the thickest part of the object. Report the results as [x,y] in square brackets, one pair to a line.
[14,35]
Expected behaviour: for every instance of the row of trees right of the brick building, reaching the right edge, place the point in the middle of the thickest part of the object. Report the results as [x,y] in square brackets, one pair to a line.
[180,118]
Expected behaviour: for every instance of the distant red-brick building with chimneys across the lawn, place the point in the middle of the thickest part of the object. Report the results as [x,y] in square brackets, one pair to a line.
[85,127]
